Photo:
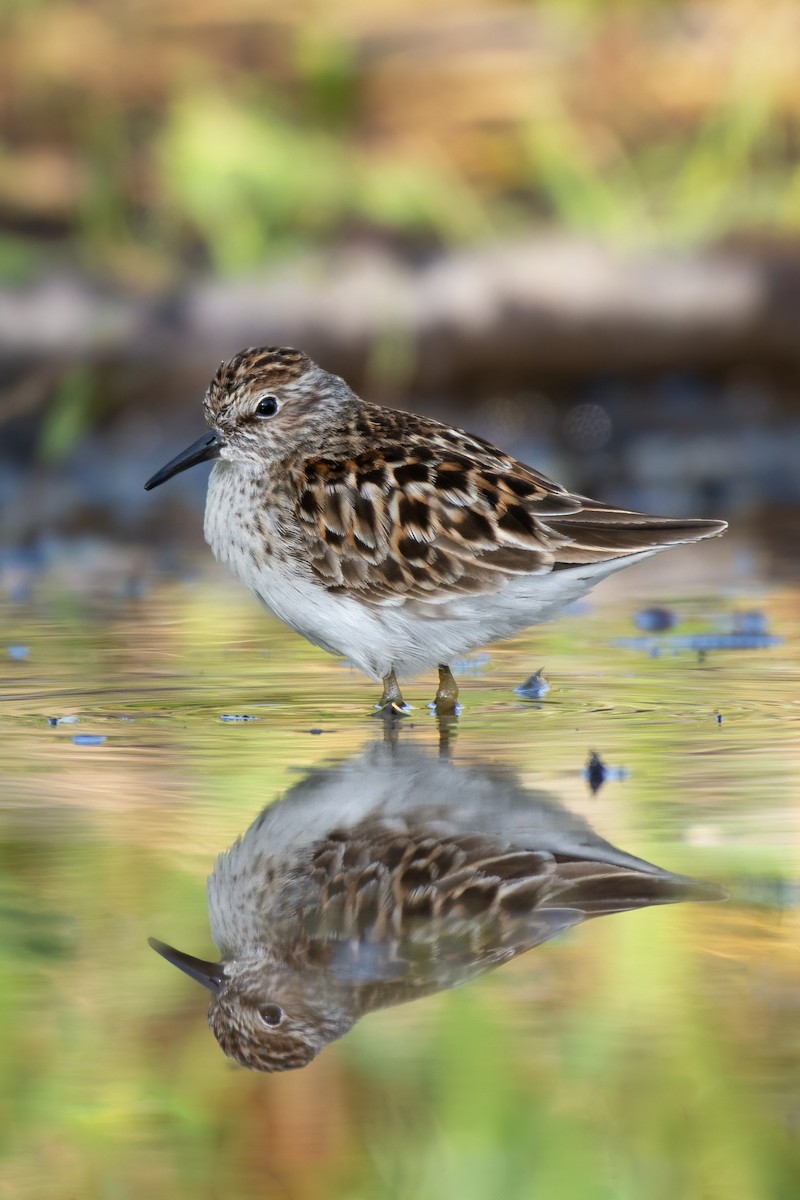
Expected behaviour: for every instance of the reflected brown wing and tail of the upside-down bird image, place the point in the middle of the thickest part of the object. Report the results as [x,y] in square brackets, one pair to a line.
[410,911]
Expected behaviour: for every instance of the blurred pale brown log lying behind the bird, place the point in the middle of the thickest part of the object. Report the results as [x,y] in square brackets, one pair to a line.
[510,313]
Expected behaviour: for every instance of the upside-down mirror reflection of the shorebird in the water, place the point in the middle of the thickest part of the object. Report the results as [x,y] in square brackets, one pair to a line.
[387,879]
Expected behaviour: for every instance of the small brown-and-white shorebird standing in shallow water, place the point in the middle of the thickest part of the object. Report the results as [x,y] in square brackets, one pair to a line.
[389,538]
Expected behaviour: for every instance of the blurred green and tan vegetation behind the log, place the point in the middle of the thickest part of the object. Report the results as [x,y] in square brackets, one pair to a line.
[154,134]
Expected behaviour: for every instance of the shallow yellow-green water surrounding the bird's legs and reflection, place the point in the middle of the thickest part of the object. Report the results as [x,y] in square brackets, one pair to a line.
[648,1054]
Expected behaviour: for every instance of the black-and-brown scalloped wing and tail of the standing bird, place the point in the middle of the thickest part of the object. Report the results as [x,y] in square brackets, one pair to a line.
[420,512]
